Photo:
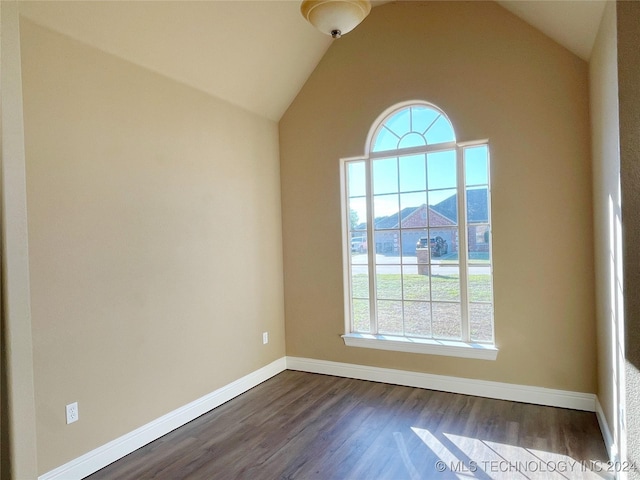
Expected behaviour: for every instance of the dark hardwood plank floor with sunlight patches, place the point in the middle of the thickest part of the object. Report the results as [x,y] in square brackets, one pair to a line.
[306,426]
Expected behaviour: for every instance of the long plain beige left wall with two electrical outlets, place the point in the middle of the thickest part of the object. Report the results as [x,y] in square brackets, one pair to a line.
[154,241]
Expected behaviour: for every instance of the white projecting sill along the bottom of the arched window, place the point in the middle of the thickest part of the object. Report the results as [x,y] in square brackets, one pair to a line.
[418,345]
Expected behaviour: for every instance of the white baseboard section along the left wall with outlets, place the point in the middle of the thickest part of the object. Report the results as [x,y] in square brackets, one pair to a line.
[102,456]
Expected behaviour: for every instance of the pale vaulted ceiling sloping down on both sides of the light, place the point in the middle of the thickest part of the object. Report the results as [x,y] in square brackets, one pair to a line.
[254,54]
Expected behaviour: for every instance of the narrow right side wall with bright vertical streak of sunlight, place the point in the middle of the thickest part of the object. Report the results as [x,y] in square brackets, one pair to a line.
[603,76]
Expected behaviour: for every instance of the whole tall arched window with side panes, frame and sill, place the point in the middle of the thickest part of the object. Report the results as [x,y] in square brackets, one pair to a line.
[417,235]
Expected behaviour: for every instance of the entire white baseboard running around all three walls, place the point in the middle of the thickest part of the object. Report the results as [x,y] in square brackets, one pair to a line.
[102,456]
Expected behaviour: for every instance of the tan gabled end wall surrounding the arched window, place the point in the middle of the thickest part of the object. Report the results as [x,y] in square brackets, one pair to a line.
[497,78]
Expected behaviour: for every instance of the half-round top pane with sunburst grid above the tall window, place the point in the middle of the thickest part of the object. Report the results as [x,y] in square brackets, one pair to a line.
[412,126]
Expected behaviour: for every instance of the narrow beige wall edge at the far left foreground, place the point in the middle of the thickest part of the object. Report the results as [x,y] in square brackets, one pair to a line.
[17,416]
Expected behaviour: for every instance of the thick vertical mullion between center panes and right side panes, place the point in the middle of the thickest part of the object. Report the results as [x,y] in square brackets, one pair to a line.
[463,244]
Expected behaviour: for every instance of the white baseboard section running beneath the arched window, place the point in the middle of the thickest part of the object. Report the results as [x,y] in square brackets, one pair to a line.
[479,388]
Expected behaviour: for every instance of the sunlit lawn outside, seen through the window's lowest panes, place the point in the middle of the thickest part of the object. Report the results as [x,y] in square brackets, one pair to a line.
[420,318]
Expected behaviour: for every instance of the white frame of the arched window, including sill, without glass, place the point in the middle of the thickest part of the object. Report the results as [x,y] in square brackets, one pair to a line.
[457,348]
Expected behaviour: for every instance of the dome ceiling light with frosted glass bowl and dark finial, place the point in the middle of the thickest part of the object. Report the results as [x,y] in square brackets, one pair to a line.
[335,17]
